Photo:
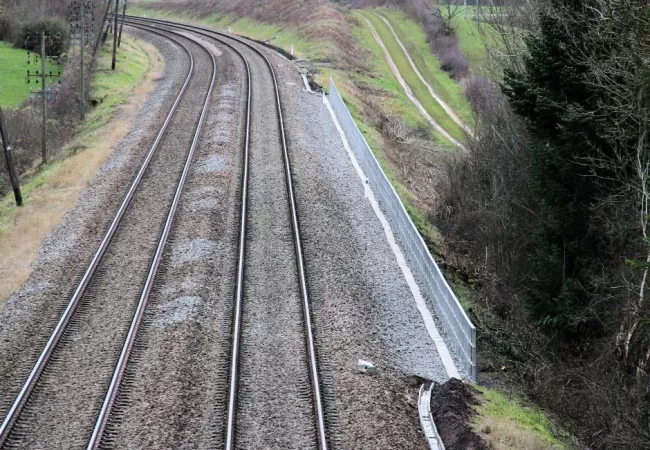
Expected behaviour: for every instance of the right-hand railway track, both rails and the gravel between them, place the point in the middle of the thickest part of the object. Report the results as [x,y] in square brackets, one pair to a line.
[273,377]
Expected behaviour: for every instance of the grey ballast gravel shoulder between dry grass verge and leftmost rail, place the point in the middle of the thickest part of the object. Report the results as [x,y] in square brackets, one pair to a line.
[29,315]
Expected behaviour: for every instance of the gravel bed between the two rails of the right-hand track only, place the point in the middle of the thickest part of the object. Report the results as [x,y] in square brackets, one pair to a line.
[274,377]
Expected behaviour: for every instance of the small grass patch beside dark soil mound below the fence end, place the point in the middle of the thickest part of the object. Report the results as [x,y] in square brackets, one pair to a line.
[512,424]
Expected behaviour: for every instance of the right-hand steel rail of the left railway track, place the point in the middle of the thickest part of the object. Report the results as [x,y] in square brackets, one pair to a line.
[122,362]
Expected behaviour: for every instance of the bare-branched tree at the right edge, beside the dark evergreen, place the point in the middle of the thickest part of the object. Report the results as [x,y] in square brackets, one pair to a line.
[617,55]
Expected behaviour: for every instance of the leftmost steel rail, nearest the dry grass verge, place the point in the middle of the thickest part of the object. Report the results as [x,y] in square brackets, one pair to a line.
[62,324]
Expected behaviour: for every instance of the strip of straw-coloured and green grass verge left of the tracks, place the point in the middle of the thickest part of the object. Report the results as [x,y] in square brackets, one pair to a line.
[55,188]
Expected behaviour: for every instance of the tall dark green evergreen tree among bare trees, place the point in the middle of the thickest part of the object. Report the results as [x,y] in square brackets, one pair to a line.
[559,105]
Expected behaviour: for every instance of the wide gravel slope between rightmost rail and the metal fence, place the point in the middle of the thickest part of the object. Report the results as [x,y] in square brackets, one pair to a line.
[363,308]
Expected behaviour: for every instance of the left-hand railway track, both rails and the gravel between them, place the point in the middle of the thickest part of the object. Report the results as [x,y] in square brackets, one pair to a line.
[63,391]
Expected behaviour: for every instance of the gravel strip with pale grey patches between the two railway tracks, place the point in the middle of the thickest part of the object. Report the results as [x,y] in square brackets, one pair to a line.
[175,383]
